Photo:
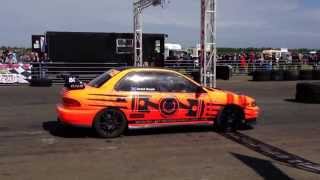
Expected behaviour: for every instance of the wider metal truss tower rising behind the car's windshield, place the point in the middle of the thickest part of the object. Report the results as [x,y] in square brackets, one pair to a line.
[208,57]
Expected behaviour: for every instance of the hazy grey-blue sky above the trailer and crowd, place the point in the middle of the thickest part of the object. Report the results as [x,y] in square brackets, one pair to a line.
[241,23]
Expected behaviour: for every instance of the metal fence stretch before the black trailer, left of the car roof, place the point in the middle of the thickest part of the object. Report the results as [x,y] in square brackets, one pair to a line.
[84,71]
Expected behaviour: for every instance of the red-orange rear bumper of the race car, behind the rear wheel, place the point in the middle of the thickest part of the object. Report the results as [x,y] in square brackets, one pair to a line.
[75,117]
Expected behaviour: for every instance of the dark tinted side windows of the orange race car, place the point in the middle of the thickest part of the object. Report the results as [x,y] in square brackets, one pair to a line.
[156,81]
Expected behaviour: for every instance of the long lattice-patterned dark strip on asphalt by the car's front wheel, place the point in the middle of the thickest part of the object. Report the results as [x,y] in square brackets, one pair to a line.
[274,153]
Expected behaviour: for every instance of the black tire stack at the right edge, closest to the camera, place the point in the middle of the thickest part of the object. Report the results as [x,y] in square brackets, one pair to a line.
[308,92]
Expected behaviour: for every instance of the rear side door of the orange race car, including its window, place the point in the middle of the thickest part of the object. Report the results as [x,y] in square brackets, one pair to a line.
[142,96]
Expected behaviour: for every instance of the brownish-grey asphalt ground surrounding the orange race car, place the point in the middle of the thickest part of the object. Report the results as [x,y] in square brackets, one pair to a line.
[33,147]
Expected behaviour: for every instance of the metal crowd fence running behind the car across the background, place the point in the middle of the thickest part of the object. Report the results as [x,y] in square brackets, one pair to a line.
[88,71]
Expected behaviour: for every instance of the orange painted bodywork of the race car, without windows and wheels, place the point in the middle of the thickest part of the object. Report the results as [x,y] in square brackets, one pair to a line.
[150,108]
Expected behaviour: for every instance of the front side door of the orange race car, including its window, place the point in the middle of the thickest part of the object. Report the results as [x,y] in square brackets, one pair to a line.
[182,100]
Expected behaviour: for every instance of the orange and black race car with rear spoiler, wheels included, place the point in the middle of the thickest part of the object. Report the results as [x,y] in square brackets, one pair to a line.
[147,97]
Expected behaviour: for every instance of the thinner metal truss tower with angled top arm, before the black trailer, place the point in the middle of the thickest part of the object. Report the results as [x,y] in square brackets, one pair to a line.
[138,7]
